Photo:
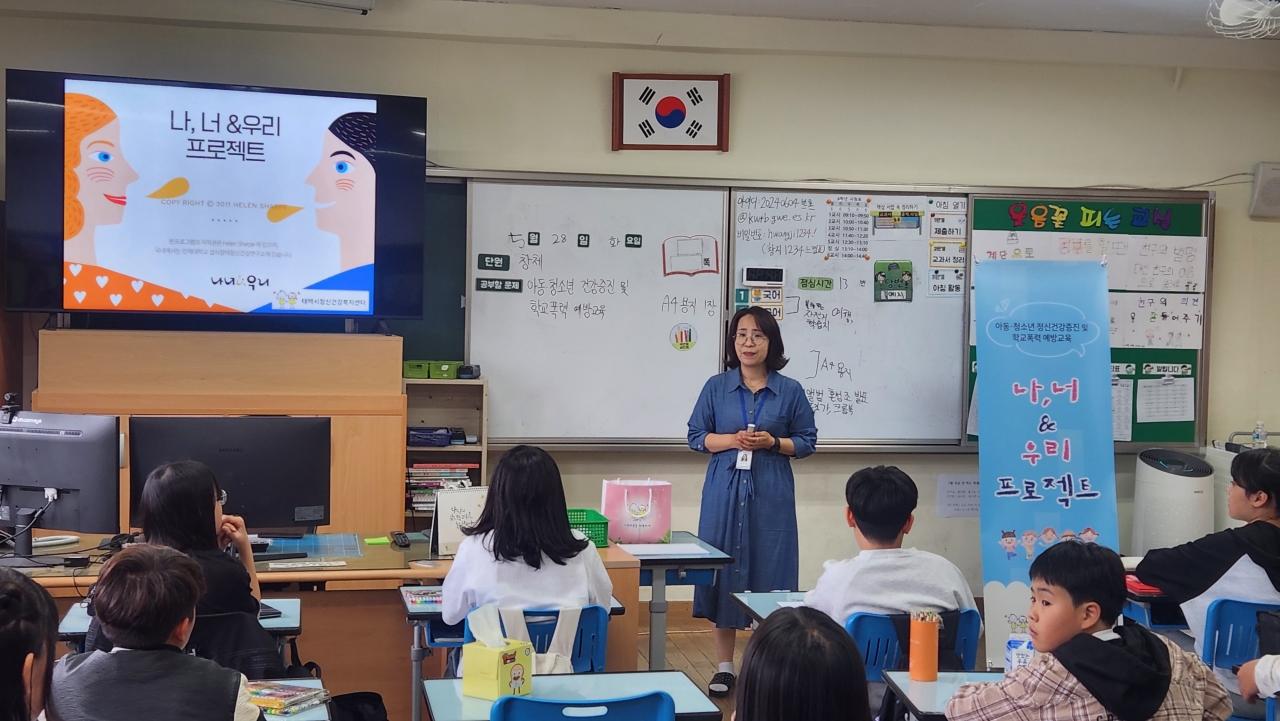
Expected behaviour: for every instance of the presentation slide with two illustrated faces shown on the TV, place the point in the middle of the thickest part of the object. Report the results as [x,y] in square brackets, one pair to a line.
[184,199]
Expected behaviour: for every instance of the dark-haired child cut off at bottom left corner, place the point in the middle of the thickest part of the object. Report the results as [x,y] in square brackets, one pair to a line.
[29,635]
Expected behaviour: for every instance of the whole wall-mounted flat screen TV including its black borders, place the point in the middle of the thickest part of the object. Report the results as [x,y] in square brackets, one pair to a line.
[159,197]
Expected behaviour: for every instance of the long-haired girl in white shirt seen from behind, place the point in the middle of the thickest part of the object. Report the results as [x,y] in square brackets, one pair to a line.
[523,554]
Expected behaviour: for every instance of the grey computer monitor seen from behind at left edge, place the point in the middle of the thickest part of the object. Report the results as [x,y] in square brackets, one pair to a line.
[61,471]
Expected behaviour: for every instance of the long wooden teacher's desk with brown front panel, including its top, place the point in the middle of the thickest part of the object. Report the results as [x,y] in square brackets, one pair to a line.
[356,631]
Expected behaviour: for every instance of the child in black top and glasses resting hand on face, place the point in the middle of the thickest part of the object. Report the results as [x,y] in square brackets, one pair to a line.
[182,508]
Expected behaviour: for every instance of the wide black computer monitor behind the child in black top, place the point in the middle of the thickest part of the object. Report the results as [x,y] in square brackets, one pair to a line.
[275,469]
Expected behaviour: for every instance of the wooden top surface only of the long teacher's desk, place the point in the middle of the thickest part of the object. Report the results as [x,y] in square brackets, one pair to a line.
[377,564]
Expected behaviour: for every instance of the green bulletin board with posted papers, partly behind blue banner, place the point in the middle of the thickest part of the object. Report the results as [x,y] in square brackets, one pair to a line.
[1158,255]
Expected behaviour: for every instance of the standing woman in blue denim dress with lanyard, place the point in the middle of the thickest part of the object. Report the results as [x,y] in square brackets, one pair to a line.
[749,513]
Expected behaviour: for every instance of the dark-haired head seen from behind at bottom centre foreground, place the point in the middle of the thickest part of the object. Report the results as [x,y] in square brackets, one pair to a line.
[802,667]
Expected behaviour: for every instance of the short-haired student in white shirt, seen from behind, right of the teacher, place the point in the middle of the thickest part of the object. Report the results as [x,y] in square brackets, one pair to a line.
[886,578]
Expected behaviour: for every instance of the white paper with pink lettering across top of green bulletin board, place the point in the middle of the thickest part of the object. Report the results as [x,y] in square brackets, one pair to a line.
[1135,263]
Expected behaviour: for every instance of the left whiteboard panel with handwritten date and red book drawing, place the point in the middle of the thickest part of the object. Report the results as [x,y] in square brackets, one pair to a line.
[609,321]
